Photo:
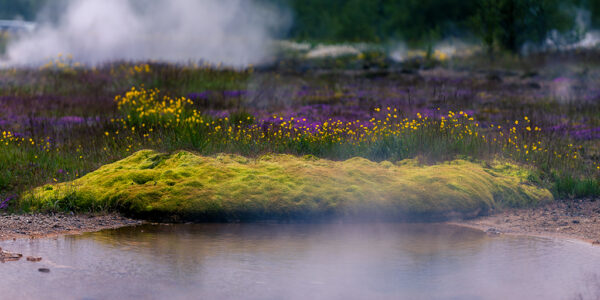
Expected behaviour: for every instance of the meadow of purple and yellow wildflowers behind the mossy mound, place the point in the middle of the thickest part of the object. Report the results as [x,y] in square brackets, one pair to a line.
[63,120]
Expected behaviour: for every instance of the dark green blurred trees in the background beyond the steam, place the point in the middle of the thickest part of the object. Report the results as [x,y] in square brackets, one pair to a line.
[507,24]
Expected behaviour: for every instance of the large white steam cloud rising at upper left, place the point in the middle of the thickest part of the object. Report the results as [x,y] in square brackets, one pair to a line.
[232,32]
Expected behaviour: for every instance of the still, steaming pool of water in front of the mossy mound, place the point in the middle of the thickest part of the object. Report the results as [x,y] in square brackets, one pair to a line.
[301,261]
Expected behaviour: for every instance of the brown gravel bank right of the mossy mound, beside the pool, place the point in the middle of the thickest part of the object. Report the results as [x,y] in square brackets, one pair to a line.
[572,219]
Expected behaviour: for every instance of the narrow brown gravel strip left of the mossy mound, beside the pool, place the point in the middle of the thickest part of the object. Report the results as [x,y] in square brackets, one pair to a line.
[45,225]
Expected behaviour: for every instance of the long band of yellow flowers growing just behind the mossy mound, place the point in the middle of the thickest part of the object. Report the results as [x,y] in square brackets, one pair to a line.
[145,111]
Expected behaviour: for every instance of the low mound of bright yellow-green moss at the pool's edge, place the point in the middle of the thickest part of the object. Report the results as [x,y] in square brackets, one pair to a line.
[185,186]
